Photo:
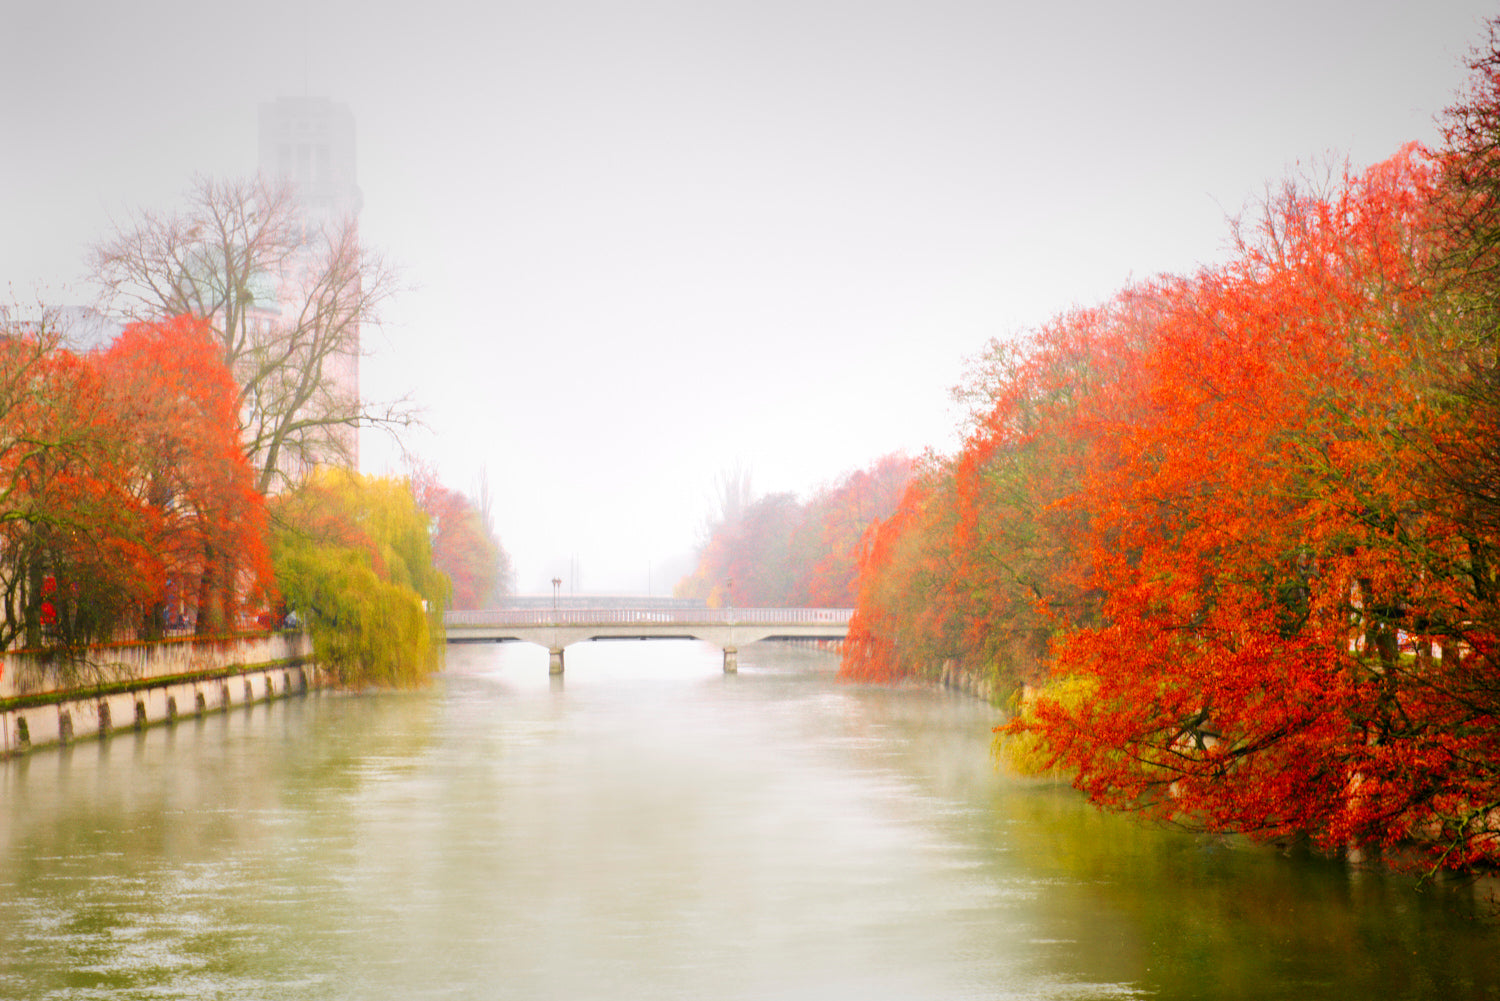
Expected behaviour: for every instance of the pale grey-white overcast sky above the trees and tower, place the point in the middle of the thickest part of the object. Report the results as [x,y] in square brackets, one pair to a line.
[646,242]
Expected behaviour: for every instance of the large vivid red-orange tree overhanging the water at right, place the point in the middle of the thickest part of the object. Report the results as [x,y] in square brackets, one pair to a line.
[1286,616]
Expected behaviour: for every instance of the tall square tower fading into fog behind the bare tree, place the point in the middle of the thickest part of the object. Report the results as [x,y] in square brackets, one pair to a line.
[310,142]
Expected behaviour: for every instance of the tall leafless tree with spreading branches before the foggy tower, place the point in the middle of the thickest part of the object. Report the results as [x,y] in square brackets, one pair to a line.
[286,301]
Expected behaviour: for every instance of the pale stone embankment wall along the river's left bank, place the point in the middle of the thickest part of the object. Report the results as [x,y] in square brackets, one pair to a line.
[139,685]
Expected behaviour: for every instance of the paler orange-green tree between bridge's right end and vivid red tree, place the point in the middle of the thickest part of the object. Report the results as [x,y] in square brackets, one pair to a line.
[979,567]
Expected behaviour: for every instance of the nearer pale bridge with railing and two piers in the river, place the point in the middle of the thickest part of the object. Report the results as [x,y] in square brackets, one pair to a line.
[728,628]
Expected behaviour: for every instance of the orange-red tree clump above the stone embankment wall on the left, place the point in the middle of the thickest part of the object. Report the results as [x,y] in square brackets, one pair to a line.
[125,487]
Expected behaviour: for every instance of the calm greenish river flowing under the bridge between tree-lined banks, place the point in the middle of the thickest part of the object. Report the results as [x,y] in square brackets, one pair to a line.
[650,828]
